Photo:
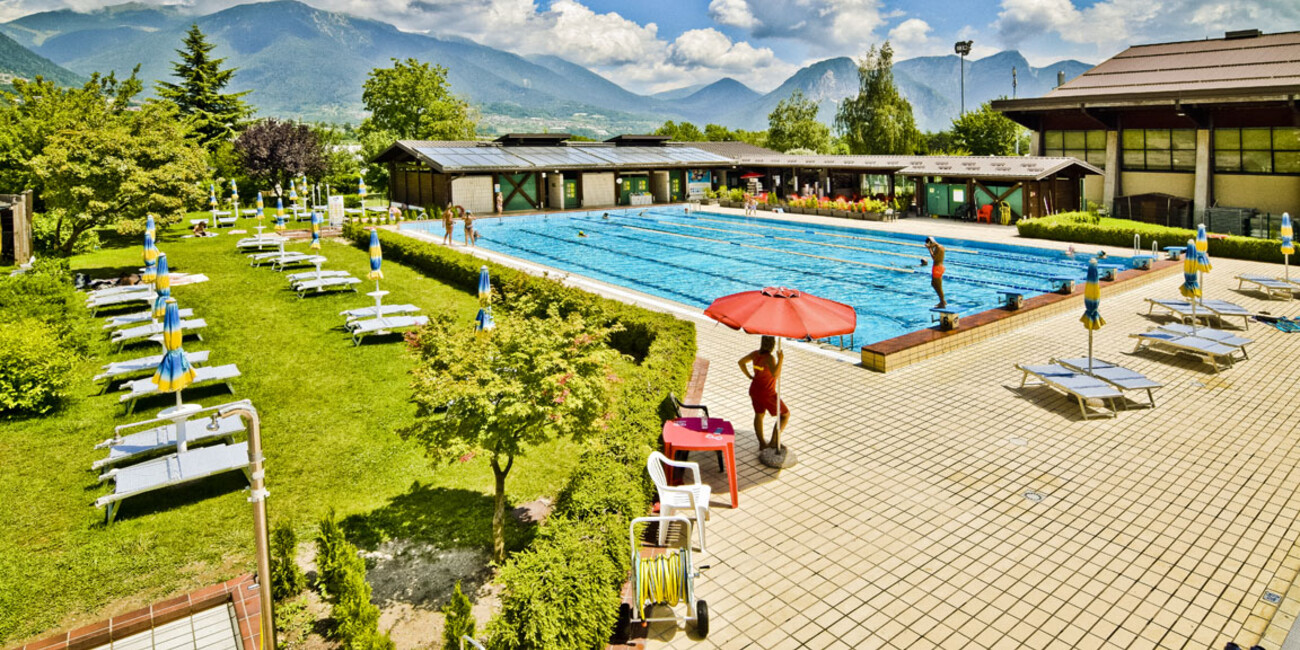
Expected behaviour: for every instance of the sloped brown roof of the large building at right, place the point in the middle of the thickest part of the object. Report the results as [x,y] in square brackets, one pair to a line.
[1253,67]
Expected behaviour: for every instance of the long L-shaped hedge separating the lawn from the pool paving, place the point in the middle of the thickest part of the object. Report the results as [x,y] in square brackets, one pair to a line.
[565,591]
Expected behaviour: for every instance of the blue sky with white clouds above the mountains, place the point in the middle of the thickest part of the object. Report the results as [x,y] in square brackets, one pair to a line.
[651,46]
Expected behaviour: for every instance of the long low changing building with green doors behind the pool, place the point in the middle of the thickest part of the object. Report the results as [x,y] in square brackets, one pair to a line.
[539,172]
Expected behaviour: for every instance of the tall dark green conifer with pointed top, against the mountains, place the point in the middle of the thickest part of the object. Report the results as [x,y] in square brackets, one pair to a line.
[215,115]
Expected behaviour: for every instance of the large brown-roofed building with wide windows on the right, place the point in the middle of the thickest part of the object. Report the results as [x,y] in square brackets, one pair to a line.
[1216,123]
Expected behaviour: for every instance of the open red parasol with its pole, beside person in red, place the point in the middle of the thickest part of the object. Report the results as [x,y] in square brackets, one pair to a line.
[785,314]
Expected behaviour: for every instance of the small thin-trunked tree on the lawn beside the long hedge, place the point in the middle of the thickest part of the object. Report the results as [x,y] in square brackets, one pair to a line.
[527,383]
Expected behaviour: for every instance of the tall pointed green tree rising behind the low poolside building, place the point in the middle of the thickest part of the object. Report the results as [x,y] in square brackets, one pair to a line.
[878,120]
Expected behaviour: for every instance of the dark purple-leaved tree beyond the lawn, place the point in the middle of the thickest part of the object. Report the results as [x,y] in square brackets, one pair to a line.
[274,151]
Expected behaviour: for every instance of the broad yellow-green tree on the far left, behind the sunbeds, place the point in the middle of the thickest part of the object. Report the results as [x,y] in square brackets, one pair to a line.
[116,167]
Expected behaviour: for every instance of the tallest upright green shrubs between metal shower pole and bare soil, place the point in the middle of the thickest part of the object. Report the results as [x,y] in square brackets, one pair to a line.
[343,580]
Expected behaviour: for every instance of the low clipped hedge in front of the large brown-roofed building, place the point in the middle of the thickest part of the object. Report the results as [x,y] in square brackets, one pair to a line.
[1084,228]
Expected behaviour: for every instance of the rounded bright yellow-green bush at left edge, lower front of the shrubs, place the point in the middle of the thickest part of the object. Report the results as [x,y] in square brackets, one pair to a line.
[36,367]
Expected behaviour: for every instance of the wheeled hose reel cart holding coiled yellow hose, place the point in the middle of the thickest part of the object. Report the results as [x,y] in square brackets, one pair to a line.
[666,579]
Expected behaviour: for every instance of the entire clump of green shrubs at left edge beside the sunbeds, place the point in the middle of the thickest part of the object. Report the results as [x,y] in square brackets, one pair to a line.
[45,330]
